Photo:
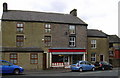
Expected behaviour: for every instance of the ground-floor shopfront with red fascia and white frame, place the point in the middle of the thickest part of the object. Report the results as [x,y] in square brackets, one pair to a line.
[65,57]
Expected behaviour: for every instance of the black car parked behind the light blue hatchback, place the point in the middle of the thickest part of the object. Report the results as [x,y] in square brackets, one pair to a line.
[103,65]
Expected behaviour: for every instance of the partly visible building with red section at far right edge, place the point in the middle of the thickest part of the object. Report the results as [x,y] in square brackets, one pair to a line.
[114,50]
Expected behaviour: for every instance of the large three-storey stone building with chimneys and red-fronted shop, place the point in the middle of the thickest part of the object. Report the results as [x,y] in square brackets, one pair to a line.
[40,40]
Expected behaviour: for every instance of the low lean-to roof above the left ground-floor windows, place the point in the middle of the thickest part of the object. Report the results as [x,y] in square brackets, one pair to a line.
[21,49]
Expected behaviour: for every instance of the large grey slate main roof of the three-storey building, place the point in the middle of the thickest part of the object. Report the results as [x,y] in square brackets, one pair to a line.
[32,16]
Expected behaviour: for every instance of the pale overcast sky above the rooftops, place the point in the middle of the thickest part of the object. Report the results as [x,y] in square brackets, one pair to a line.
[98,14]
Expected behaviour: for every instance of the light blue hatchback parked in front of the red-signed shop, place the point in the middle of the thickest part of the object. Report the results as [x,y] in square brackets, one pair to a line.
[82,65]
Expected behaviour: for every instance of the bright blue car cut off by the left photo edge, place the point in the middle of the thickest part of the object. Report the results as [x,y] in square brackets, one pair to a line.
[7,67]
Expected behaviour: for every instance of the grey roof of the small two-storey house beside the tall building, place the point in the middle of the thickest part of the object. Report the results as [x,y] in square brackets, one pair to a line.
[95,33]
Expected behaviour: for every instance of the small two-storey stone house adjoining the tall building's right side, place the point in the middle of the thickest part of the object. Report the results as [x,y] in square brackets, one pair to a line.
[98,46]
